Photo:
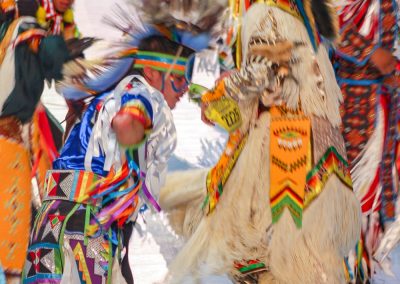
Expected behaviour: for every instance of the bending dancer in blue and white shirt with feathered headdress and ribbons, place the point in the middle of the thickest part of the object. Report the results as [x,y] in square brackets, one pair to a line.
[122,140]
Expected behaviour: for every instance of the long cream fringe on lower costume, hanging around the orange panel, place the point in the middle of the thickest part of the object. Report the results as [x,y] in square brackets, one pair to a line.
[240,227]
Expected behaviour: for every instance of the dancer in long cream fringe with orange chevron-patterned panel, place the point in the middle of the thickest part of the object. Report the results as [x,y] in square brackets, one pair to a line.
[287,154]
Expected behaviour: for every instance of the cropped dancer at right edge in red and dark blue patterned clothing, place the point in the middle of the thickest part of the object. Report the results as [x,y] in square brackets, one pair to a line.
[365,65]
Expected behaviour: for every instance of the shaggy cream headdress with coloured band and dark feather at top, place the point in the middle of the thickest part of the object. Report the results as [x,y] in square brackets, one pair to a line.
[311,83]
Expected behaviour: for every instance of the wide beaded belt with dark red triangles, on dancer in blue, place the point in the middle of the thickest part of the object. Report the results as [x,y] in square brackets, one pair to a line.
[69,185]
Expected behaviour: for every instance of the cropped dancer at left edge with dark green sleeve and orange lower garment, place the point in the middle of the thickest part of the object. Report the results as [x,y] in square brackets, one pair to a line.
[28,57]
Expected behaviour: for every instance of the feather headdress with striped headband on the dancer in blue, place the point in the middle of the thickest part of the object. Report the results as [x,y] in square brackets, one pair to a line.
[188,23]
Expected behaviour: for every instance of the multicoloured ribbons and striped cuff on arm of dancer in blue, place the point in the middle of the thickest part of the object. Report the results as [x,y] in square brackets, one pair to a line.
[120,190]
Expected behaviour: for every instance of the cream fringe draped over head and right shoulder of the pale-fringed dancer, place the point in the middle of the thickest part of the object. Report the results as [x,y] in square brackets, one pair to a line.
[315,88]
